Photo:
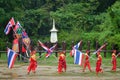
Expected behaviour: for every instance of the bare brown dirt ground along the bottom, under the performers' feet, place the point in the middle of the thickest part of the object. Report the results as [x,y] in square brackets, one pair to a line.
[44,72]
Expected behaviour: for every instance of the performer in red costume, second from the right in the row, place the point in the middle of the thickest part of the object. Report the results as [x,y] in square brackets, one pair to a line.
[99,63]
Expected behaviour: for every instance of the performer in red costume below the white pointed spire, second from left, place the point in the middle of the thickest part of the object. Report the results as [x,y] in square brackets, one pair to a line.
[62,62]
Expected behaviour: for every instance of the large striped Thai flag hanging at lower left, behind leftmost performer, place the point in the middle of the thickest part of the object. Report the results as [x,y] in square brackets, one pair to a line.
[11,57]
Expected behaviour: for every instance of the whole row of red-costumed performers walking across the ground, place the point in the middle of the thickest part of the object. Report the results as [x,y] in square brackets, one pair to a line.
[62,67]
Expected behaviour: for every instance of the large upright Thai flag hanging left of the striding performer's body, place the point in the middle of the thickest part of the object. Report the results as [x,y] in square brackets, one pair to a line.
[78,57]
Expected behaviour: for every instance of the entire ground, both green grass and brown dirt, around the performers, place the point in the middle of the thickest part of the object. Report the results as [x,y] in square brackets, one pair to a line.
[47,69]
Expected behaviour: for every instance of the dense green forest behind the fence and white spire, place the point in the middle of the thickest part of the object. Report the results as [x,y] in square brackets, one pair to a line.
[87,20]
